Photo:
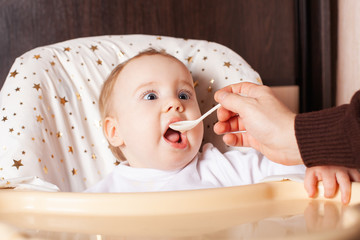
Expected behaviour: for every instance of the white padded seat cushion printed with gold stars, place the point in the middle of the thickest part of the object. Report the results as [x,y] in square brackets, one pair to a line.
[49,120]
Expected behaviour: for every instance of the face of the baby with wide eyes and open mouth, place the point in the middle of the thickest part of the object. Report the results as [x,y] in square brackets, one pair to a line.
[150,93]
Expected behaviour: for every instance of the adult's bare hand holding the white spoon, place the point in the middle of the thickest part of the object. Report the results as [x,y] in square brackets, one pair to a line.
[269,124]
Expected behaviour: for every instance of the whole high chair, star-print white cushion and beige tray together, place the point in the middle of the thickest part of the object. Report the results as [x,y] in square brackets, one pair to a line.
[52,140]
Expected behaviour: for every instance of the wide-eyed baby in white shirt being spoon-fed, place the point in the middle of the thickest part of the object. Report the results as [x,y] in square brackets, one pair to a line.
[138,102]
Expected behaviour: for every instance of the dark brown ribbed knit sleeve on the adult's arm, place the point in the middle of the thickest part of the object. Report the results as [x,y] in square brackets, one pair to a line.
[330,136]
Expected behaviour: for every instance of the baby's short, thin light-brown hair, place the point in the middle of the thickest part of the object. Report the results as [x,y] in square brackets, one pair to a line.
[108,87]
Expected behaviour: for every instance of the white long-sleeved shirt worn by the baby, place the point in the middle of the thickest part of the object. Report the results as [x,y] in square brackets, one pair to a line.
[209,169]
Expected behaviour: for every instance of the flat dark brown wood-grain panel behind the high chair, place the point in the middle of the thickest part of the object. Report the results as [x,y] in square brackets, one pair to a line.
[263,32]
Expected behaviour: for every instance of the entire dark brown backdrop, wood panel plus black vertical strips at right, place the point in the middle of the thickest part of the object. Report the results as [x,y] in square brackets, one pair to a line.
[287,41]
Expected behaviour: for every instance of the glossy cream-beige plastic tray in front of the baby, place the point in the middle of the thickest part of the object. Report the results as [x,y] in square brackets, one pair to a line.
[272,210]
